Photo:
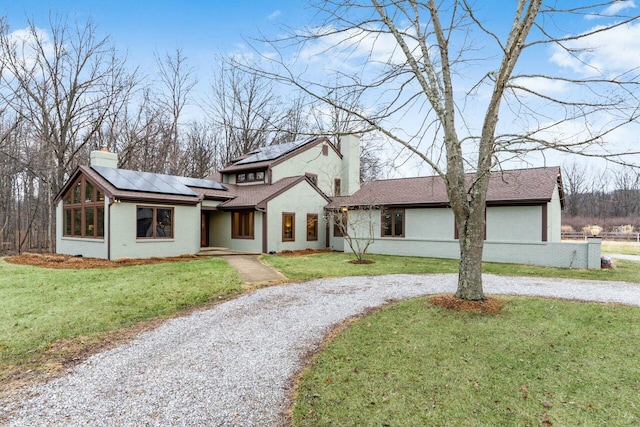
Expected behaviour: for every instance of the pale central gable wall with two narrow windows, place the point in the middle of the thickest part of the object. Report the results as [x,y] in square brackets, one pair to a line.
[301,199]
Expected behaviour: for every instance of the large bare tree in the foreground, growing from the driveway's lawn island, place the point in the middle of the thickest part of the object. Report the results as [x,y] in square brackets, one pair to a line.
[436,50]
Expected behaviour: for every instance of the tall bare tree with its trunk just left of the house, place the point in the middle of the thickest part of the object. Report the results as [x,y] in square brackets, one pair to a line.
[63,82]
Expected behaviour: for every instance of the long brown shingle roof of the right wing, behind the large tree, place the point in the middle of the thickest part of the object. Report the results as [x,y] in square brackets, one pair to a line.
[519,186]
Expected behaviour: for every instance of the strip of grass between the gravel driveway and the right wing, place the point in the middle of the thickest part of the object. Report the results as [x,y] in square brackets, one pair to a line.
[336,264]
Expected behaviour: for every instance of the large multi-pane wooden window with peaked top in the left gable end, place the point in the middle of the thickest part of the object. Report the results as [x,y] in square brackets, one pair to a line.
[83,211]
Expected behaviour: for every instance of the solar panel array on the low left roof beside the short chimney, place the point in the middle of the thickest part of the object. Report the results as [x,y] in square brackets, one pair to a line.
[124,179]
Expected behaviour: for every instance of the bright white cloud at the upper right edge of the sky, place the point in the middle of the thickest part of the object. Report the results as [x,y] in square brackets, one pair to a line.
[610,52]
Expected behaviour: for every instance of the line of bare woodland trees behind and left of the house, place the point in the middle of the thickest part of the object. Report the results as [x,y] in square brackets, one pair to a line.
[66,91]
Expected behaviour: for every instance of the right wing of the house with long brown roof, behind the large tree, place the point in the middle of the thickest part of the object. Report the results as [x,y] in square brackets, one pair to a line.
[411,216]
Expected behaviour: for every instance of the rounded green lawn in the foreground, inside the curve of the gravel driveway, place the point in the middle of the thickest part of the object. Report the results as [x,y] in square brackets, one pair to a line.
[537,362]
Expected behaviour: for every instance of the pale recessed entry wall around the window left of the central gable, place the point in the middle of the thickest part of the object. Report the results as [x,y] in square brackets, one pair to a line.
[220,233]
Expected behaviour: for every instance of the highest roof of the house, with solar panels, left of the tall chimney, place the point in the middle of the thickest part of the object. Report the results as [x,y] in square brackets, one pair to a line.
[265,157]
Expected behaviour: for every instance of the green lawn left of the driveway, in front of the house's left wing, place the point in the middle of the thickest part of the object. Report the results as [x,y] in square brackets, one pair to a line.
[40,306]
